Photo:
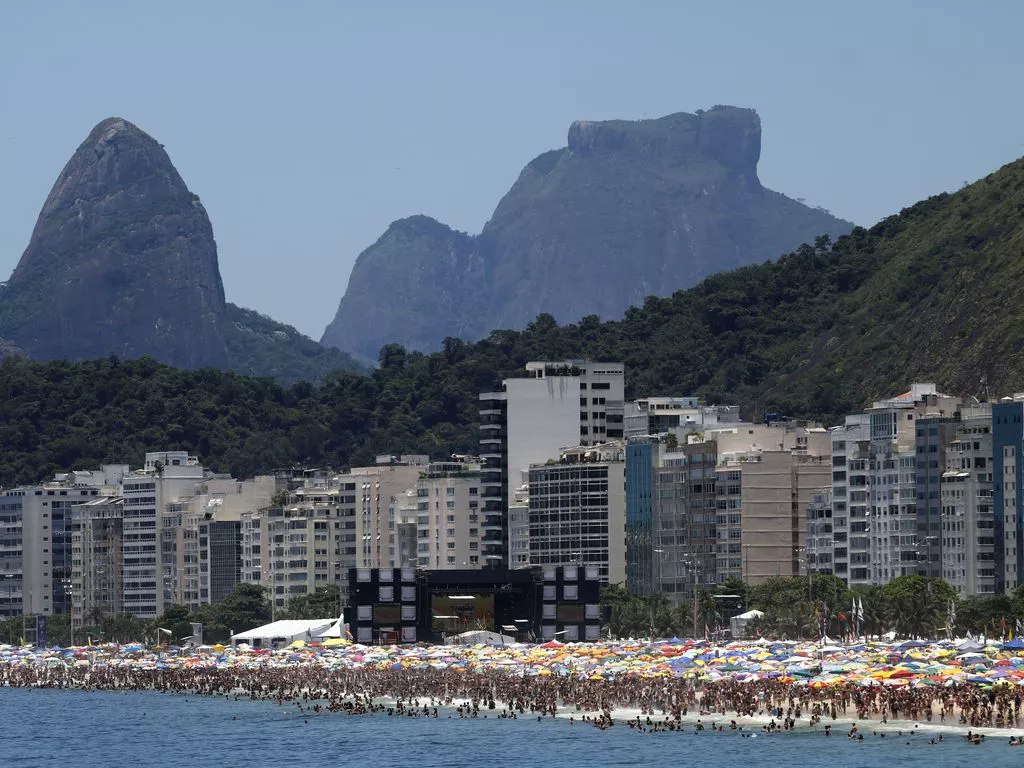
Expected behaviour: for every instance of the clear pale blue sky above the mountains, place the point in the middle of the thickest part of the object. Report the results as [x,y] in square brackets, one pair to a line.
[308,127]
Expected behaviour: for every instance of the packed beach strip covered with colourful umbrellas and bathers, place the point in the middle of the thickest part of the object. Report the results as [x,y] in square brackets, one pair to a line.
[787,686]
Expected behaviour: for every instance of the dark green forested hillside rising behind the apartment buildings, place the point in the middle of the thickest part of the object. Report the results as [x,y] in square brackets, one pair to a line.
[932,293]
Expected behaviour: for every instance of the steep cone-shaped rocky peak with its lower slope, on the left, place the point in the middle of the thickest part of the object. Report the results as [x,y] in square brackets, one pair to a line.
[123,262]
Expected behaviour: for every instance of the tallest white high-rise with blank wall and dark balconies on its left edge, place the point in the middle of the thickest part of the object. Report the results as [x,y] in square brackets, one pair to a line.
[553,406]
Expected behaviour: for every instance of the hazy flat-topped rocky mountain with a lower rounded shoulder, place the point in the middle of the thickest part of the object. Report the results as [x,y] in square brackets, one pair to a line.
[626,210]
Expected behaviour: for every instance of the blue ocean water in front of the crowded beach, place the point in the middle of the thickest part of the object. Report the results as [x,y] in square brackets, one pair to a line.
[77,730]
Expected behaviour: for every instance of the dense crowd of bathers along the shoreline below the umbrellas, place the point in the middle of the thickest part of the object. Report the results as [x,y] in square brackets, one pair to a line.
[596,702]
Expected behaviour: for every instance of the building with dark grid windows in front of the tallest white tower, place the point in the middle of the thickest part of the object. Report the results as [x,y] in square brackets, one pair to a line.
[578,510]
